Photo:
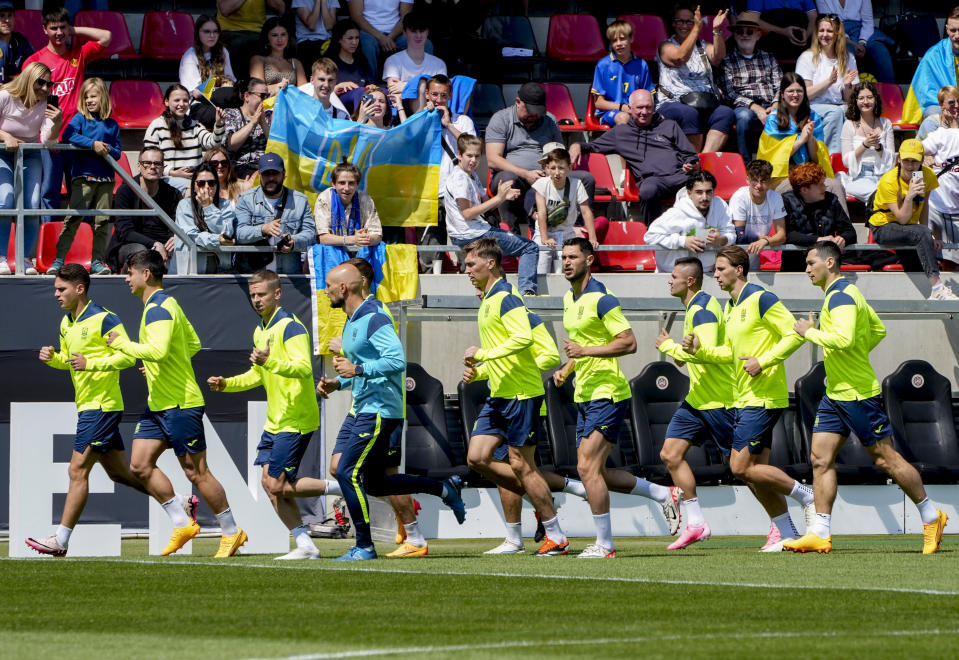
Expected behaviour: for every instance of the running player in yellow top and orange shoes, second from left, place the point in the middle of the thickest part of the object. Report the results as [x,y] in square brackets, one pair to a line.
[174,413]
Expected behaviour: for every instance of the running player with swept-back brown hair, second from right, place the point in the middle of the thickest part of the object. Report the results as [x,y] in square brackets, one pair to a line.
[759,337]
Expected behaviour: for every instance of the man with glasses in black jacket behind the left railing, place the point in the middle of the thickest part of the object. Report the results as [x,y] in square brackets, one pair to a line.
[137,233]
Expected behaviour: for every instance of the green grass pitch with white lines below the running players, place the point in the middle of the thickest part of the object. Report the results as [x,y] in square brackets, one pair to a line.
[872,597]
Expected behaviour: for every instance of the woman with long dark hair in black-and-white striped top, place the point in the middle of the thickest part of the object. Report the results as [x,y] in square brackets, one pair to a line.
[181,139]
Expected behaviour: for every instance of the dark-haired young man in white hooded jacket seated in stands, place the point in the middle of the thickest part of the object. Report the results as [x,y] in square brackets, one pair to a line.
[698,220]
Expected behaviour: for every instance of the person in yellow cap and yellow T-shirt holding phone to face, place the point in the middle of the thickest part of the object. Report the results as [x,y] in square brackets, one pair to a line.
[902,214]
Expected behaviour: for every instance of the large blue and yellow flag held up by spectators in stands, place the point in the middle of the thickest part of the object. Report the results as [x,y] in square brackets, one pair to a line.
[400,167]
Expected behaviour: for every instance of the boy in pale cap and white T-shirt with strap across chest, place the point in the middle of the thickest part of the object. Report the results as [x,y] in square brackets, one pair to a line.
[558,200]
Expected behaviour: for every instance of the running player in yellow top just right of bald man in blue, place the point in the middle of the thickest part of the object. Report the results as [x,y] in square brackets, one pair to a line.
[511,411]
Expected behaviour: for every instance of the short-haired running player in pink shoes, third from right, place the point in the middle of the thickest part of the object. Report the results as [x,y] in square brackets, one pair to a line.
[705,414]
